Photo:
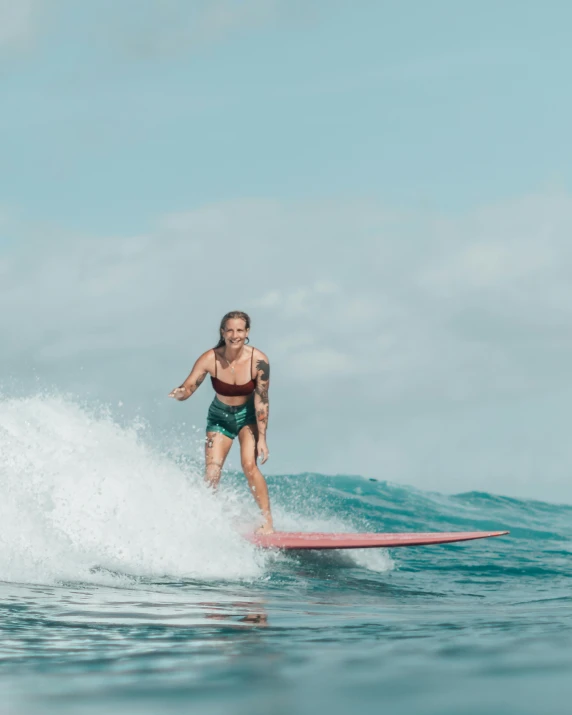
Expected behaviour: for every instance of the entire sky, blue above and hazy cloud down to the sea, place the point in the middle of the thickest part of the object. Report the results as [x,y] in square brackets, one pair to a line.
[386,187]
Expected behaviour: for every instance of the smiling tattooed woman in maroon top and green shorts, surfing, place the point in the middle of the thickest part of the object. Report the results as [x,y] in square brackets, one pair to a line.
[240,375]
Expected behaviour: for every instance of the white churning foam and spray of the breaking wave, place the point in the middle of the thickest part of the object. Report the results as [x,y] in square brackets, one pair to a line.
[83,497]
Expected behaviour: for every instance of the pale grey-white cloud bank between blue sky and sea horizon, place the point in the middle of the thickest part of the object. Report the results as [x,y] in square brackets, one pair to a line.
[443,343]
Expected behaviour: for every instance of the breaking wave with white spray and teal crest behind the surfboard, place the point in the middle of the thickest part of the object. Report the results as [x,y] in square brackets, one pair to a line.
[86,499]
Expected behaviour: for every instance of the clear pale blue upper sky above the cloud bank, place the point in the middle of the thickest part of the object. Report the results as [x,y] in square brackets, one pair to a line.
[115,112]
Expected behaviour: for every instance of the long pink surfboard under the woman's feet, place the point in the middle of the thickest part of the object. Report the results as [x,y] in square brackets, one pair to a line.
[292,540]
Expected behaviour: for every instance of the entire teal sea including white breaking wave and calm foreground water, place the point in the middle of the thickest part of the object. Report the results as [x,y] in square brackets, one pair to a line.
[125,586]
